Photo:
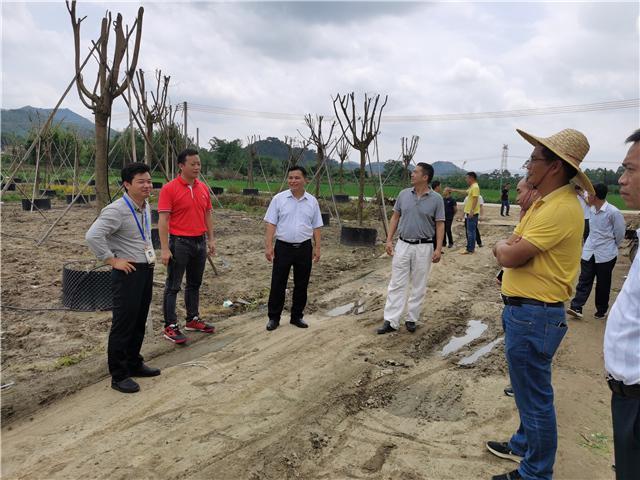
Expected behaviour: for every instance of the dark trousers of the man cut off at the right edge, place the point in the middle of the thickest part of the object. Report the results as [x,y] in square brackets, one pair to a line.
[625,413]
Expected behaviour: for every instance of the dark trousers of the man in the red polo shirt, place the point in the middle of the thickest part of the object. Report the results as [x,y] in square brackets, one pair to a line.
[189,254]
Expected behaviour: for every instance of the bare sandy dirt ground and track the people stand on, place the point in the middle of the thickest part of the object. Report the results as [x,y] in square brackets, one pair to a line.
[333,401]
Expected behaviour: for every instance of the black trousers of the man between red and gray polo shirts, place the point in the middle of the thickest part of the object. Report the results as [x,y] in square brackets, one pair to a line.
[286,257]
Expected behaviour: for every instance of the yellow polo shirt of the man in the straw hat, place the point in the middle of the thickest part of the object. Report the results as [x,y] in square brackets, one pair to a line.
[554,224]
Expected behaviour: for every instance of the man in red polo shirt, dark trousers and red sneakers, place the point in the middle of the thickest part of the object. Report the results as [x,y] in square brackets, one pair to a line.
[186,238]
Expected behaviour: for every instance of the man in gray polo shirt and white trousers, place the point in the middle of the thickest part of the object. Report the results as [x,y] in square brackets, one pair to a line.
[418,215]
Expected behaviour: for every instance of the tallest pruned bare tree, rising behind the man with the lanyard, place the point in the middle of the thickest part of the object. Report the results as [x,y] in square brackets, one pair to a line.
[108,85]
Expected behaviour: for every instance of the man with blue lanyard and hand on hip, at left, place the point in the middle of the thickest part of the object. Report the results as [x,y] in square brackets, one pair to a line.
[121,237]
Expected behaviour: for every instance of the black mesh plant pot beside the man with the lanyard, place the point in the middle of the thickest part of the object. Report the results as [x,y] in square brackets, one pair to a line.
[86,287]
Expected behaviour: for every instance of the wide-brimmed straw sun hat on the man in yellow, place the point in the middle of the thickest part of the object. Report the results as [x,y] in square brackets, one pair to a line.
[571,146]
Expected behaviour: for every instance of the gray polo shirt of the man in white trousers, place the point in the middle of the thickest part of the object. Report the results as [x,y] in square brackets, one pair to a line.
[418,216]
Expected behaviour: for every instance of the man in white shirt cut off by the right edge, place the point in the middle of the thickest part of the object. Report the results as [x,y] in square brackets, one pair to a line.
[622,340]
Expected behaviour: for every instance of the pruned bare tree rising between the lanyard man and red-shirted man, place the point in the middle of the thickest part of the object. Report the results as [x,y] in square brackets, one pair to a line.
[150,112]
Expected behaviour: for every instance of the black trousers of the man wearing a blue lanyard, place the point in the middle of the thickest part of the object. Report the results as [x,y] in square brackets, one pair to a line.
[131,299]
